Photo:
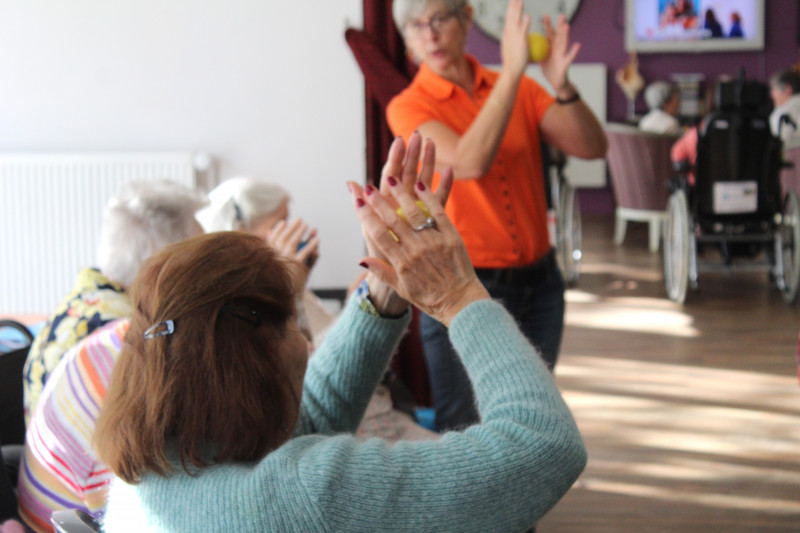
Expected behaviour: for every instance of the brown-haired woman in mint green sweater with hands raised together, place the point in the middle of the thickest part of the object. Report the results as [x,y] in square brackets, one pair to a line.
[217,420]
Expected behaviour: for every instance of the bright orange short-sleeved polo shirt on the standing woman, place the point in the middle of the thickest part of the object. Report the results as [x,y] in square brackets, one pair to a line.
[502,216]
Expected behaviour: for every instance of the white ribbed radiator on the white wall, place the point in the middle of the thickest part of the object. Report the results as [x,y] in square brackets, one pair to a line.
[51,208]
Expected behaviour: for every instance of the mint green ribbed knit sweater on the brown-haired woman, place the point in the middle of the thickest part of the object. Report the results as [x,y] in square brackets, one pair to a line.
[500,475]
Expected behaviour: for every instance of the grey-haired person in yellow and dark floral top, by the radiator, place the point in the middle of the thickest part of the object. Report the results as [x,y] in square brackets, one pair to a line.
[142,218]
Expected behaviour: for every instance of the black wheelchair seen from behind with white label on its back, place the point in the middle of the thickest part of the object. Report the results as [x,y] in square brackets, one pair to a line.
[735,205]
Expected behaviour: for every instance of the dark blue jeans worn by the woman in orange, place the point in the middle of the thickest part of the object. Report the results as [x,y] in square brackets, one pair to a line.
[538,309]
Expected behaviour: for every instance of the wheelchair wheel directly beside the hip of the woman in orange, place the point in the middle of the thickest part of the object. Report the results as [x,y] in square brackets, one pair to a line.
[564,206]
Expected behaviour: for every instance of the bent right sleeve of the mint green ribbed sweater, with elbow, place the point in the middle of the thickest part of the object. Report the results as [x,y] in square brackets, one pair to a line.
[500,475]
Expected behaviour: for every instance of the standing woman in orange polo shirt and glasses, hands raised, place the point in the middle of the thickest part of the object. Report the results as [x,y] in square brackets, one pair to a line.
[487,127]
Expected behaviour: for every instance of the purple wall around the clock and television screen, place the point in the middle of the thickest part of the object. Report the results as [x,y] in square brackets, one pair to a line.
[599,27]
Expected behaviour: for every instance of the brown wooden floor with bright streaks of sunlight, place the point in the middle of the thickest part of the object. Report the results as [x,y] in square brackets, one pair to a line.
[691,414]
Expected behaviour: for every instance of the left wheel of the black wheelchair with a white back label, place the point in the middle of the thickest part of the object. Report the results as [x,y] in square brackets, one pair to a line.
[677,235]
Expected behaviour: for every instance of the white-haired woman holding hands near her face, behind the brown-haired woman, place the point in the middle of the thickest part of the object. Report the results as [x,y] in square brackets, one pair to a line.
[261,208]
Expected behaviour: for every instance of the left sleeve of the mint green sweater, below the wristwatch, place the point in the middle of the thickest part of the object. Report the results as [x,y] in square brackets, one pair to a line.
[345,369]
